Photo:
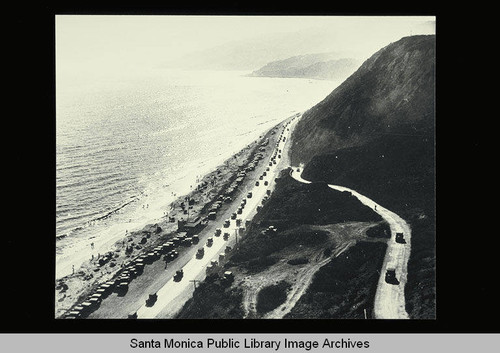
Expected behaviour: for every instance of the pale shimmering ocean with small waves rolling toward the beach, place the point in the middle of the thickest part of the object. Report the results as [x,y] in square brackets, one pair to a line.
[127,146]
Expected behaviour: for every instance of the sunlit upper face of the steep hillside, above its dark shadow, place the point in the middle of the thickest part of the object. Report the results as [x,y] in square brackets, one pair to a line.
[391,93]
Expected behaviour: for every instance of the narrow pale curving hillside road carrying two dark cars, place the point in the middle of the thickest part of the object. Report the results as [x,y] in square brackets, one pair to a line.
[389,298]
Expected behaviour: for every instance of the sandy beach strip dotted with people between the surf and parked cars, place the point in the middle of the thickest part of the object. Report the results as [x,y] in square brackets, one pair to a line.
[123,247]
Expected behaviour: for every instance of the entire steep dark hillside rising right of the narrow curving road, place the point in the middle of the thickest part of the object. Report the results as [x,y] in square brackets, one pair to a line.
[375,134]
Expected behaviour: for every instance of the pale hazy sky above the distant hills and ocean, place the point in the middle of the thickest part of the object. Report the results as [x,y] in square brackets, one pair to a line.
[84,42]
